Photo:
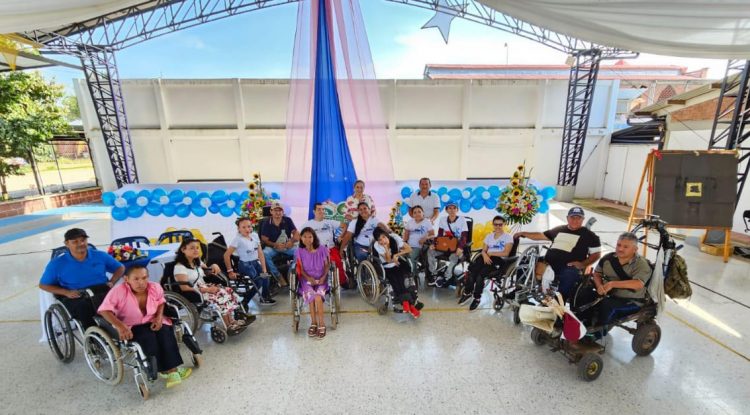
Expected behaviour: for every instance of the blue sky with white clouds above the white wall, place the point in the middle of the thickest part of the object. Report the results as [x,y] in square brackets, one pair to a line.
[259,44]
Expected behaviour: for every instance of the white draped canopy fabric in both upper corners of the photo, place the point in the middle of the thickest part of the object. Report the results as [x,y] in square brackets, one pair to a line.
[689,28]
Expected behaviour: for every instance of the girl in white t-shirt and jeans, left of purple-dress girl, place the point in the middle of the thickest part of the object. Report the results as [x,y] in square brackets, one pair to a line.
[252,262]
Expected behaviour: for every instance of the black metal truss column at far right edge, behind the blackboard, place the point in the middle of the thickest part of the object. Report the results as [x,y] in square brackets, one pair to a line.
[731,127]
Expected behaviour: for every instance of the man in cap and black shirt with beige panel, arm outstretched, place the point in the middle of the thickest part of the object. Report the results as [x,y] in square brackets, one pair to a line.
[574,247]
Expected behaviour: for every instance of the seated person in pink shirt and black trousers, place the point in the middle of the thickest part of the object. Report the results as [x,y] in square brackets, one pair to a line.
[136,310]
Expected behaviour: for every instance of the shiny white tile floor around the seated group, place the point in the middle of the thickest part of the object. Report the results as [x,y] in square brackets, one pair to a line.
[449,361]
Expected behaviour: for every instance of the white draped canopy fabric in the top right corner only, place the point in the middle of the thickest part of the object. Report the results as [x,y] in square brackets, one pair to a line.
[687,28]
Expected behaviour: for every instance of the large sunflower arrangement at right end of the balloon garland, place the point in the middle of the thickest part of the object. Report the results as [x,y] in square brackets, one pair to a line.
[518,202]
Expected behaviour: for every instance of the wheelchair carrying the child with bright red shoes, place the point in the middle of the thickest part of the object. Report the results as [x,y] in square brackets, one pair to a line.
[374,287]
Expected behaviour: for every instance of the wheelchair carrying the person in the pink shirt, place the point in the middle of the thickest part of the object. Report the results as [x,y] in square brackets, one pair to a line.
[107,355]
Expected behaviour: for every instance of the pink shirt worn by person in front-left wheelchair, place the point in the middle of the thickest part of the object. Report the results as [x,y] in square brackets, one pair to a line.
[124,305]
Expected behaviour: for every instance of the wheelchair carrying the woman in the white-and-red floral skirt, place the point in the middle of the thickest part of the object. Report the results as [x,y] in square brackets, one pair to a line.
[194,310]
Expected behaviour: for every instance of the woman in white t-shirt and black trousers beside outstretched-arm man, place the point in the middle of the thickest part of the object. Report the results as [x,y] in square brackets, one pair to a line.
[497,245]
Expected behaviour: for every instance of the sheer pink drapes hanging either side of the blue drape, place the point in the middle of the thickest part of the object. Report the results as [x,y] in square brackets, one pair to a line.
[359,98]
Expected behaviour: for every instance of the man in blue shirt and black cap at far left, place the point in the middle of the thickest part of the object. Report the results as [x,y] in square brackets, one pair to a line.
[81,268]
